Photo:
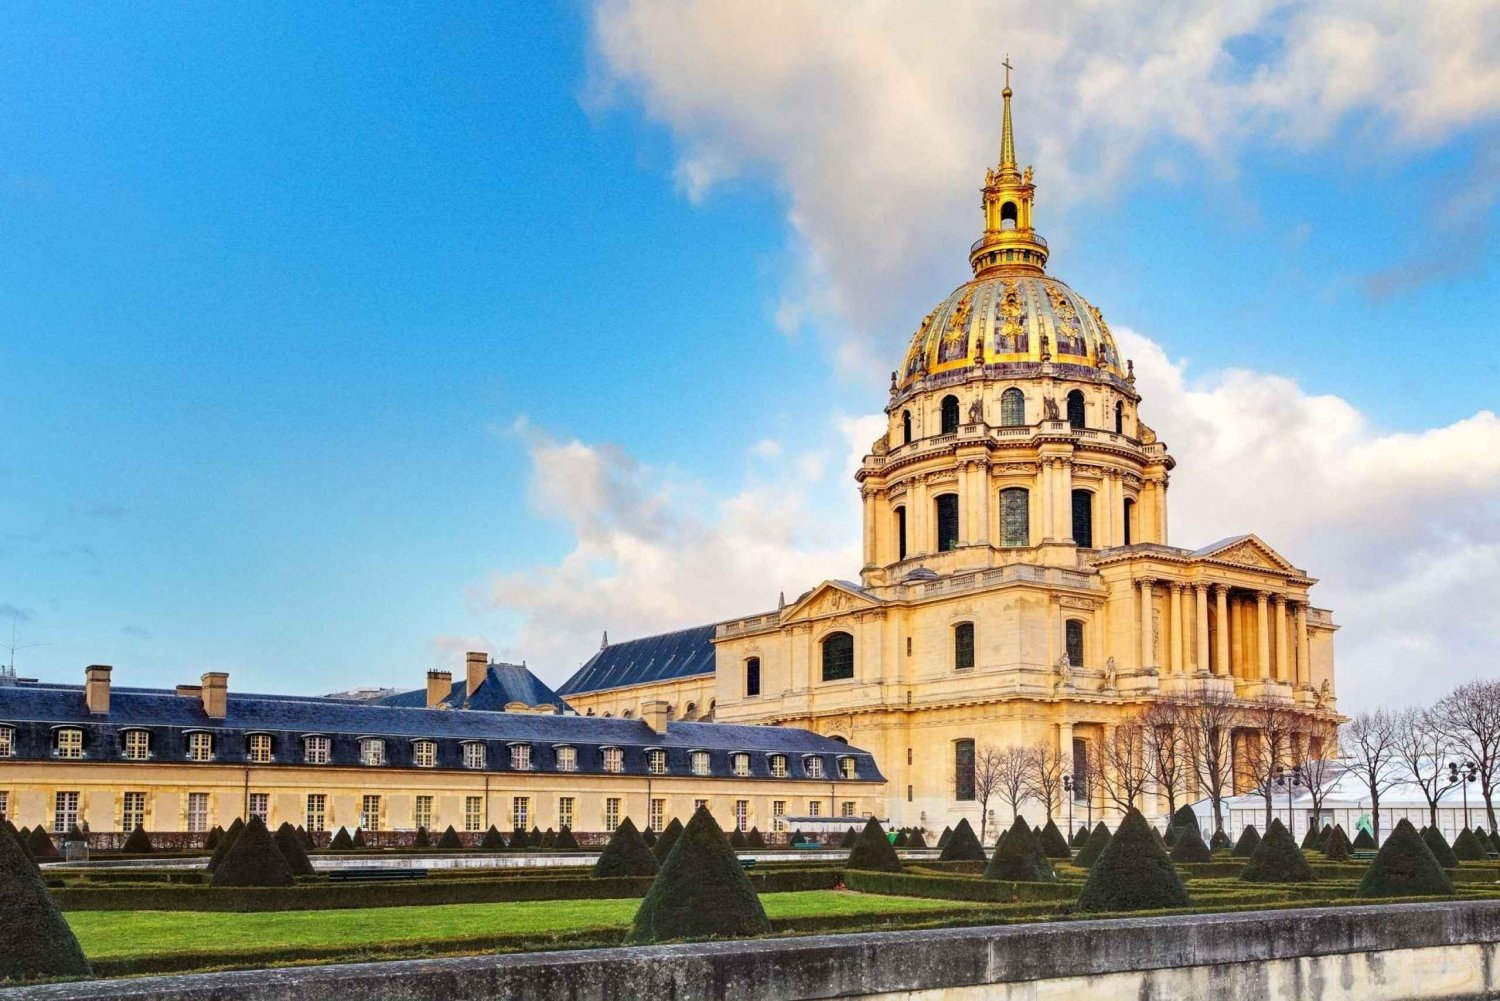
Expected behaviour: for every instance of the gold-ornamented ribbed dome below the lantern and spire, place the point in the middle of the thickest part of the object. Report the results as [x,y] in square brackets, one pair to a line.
[1013,320]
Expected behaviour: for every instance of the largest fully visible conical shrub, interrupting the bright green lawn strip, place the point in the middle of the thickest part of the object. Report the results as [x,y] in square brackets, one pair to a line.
[701,891]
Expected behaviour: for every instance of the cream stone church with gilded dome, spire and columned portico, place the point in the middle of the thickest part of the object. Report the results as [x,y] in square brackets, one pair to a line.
[1019,588]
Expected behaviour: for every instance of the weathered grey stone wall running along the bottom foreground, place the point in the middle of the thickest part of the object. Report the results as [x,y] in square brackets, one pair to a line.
[1372,954]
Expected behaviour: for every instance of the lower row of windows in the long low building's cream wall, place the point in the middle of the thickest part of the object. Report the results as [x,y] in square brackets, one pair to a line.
[134,811]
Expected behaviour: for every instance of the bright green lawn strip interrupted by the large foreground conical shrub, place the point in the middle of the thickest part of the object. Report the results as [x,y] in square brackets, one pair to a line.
[134,934]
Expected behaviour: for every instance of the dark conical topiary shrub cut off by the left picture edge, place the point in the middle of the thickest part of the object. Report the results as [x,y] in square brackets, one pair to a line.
[35,940]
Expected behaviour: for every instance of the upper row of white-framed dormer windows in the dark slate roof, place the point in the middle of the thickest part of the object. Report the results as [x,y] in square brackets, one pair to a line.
[317,750]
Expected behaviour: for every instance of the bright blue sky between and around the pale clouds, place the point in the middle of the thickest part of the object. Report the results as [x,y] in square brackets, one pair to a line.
[296,305]
